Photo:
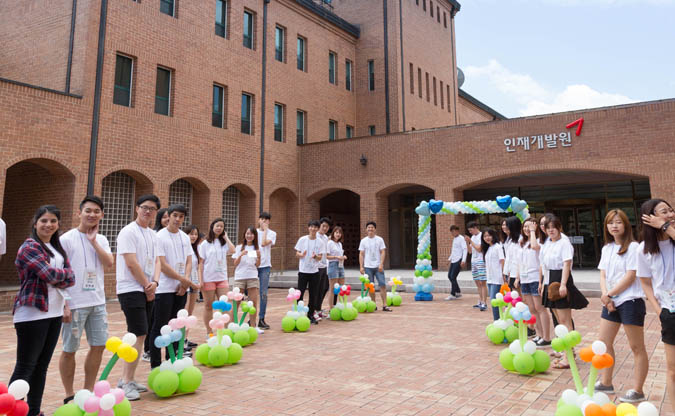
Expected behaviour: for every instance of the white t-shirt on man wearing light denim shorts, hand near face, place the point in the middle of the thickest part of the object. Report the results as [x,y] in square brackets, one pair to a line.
[89,288]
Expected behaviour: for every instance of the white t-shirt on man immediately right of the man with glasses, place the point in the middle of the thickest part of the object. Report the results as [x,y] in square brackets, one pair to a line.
[175,248]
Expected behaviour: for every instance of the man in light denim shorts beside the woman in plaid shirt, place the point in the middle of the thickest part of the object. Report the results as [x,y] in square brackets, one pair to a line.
[88,253]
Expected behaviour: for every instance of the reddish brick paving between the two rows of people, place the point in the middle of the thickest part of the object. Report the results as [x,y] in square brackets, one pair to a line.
[425,358]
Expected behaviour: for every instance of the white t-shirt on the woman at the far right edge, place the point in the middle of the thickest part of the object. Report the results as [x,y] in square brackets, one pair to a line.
[661,269]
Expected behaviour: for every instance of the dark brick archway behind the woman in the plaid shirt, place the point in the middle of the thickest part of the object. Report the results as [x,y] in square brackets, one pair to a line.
[28,185]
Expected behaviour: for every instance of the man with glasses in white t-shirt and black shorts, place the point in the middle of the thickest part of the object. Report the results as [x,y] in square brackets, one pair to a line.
[137,273]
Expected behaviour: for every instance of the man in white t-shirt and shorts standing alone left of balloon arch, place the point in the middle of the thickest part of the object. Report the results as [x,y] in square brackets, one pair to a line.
[372,253]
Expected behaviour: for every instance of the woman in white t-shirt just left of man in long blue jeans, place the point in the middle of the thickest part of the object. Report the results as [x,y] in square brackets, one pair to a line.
[246,261]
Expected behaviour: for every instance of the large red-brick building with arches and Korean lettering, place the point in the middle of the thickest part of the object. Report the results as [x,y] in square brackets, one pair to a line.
[233,106]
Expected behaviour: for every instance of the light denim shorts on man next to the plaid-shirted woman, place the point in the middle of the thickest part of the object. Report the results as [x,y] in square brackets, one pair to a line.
[93,320]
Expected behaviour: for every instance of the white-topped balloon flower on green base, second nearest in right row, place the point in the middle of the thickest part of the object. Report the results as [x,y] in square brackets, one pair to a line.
[522,355]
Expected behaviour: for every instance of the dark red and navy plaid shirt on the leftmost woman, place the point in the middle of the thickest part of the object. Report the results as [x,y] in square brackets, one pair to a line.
[35,273]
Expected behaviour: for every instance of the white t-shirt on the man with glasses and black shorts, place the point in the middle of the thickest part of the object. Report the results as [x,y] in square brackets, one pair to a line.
[143,243]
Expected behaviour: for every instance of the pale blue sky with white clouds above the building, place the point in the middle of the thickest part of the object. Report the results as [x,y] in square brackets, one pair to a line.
[528,57]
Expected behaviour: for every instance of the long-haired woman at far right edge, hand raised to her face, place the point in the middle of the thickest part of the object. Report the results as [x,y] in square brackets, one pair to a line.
[656,270]
